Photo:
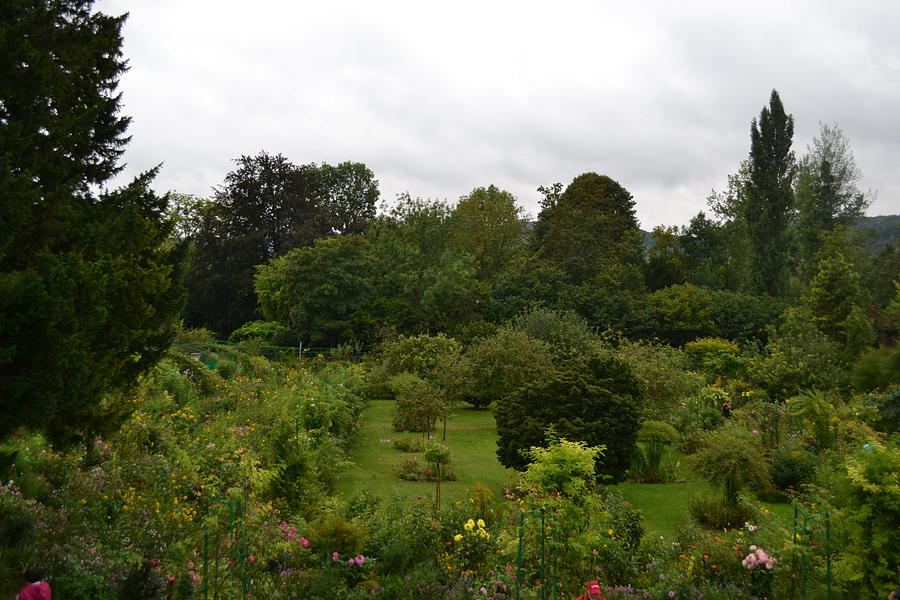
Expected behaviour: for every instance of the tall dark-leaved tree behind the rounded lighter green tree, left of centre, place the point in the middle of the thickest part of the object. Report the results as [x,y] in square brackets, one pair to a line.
[266,207]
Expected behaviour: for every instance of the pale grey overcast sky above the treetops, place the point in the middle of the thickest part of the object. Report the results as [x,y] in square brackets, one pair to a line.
[440,98]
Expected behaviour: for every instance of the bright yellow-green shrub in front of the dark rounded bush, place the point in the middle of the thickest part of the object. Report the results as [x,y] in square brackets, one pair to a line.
[564,467]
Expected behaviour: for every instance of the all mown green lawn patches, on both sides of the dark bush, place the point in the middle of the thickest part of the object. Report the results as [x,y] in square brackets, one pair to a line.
[471,437]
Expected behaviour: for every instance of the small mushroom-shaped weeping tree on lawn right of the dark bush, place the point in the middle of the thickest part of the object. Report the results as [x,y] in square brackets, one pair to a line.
[731,457]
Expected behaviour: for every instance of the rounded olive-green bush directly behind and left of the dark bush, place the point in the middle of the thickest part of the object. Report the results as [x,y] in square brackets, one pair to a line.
[503,362]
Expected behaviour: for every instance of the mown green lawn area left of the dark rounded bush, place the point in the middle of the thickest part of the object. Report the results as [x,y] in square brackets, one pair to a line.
[471,437]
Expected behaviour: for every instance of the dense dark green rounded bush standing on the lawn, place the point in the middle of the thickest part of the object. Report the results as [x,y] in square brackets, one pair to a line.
[591,400]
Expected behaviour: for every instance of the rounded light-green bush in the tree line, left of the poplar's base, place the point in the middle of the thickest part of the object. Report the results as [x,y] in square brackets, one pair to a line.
[684,312]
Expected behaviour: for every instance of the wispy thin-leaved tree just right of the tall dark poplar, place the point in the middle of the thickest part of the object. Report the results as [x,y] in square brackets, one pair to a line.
[826,189]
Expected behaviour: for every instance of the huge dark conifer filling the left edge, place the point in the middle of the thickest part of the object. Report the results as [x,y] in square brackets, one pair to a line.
[89,293]
